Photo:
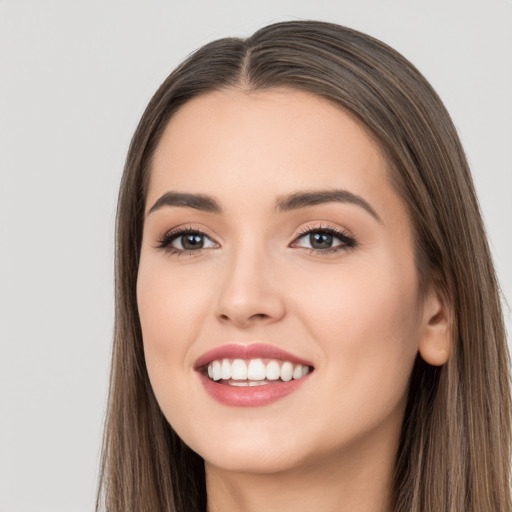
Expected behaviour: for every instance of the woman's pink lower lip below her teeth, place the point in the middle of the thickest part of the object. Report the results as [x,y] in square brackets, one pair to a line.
[250,396]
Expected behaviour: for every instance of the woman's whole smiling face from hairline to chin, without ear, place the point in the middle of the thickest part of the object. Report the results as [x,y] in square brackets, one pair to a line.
[274,240]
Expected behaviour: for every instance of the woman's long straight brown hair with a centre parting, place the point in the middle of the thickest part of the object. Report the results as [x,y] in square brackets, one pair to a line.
[454,452]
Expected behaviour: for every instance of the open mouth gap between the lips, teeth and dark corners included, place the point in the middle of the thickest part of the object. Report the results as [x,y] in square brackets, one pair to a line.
[254,372]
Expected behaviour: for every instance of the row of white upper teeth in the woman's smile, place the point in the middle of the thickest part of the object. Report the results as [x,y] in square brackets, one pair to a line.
[255,369]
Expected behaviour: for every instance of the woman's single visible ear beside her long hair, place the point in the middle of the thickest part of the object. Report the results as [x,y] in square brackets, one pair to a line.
[436,339]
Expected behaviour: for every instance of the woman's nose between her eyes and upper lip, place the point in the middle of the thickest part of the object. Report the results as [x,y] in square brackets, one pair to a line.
[250,292]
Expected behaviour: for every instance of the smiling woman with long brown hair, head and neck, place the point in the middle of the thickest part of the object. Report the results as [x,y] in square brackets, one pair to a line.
[307,312]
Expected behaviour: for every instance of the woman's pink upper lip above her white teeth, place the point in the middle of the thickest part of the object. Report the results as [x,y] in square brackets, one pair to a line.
[248,351]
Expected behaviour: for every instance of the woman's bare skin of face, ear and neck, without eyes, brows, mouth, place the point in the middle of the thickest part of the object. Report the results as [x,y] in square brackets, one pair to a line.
[356,314]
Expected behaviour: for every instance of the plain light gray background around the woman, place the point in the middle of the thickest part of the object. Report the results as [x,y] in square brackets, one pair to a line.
[75,77]
